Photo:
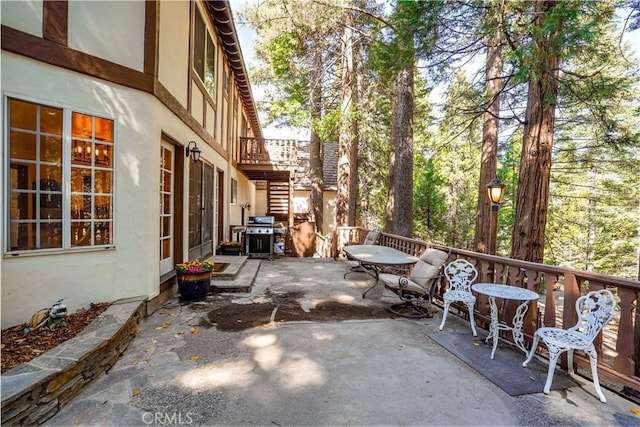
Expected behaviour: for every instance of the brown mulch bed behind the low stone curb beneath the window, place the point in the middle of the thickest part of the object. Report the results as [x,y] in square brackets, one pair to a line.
[18,348]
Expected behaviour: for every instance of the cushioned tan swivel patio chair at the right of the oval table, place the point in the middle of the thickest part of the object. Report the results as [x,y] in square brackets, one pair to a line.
[416,290]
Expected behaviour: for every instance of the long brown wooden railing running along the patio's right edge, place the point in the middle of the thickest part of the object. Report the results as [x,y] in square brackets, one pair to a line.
[559,288]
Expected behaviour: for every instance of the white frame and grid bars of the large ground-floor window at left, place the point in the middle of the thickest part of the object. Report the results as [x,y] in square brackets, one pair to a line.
[66,190]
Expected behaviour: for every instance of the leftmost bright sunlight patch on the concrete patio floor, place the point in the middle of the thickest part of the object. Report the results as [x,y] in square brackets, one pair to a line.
[230,374]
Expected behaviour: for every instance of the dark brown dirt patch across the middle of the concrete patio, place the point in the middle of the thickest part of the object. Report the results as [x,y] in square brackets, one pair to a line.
[228,316]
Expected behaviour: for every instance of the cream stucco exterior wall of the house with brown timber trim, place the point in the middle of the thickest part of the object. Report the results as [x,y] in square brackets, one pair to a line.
[130,266]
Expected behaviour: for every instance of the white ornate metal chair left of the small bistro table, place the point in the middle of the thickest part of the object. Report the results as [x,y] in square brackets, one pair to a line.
[460,276]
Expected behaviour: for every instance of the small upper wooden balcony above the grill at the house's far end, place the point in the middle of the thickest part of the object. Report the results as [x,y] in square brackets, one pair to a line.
[268,159]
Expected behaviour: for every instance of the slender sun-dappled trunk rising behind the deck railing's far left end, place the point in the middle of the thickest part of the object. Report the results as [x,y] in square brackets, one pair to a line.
[345,169]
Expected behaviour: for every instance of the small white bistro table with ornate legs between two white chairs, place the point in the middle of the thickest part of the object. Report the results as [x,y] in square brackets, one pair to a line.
[493,291]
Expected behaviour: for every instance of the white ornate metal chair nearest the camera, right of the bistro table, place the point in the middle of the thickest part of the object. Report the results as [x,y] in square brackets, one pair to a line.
[594,310]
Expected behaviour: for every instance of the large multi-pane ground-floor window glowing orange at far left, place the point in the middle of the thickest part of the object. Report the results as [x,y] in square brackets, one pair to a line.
[60,178]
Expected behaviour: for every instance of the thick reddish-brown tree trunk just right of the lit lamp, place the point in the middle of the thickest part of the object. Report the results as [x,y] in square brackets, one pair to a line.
[535,164]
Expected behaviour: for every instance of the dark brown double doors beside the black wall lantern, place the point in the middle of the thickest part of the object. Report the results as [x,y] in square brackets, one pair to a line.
[201,213]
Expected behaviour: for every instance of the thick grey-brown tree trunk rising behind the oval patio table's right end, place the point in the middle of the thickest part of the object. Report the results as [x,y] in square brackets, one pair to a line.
[399,212]
